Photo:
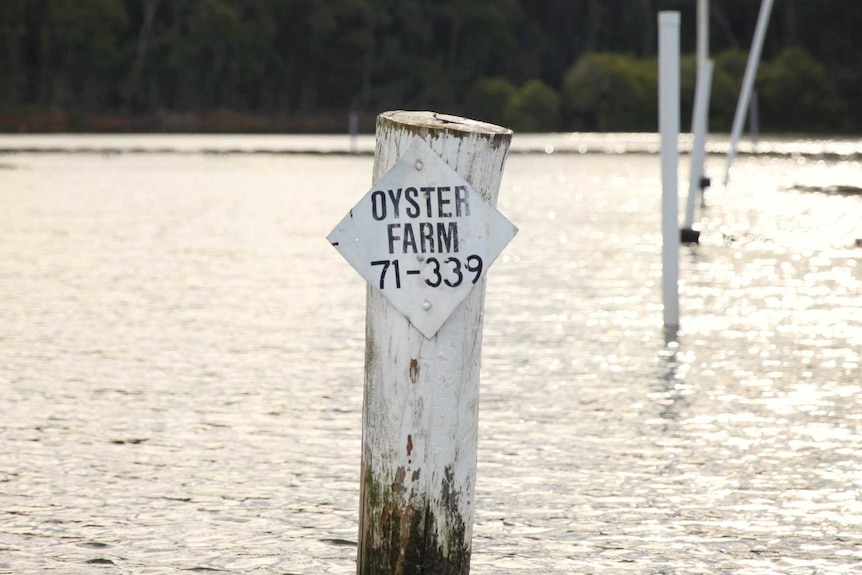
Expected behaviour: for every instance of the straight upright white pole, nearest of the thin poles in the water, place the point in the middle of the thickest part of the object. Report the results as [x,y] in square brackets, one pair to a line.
[668,113]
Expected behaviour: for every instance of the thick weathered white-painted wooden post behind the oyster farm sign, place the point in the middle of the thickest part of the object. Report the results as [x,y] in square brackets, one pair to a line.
[419,420]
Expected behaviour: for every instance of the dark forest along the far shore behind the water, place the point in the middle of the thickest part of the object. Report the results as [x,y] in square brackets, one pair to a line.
[303,65]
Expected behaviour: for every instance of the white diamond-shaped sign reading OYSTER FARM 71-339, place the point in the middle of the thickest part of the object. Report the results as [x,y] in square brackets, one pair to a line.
[423,237]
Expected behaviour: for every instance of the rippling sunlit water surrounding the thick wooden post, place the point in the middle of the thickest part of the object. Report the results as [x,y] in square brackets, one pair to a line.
[181,358]
